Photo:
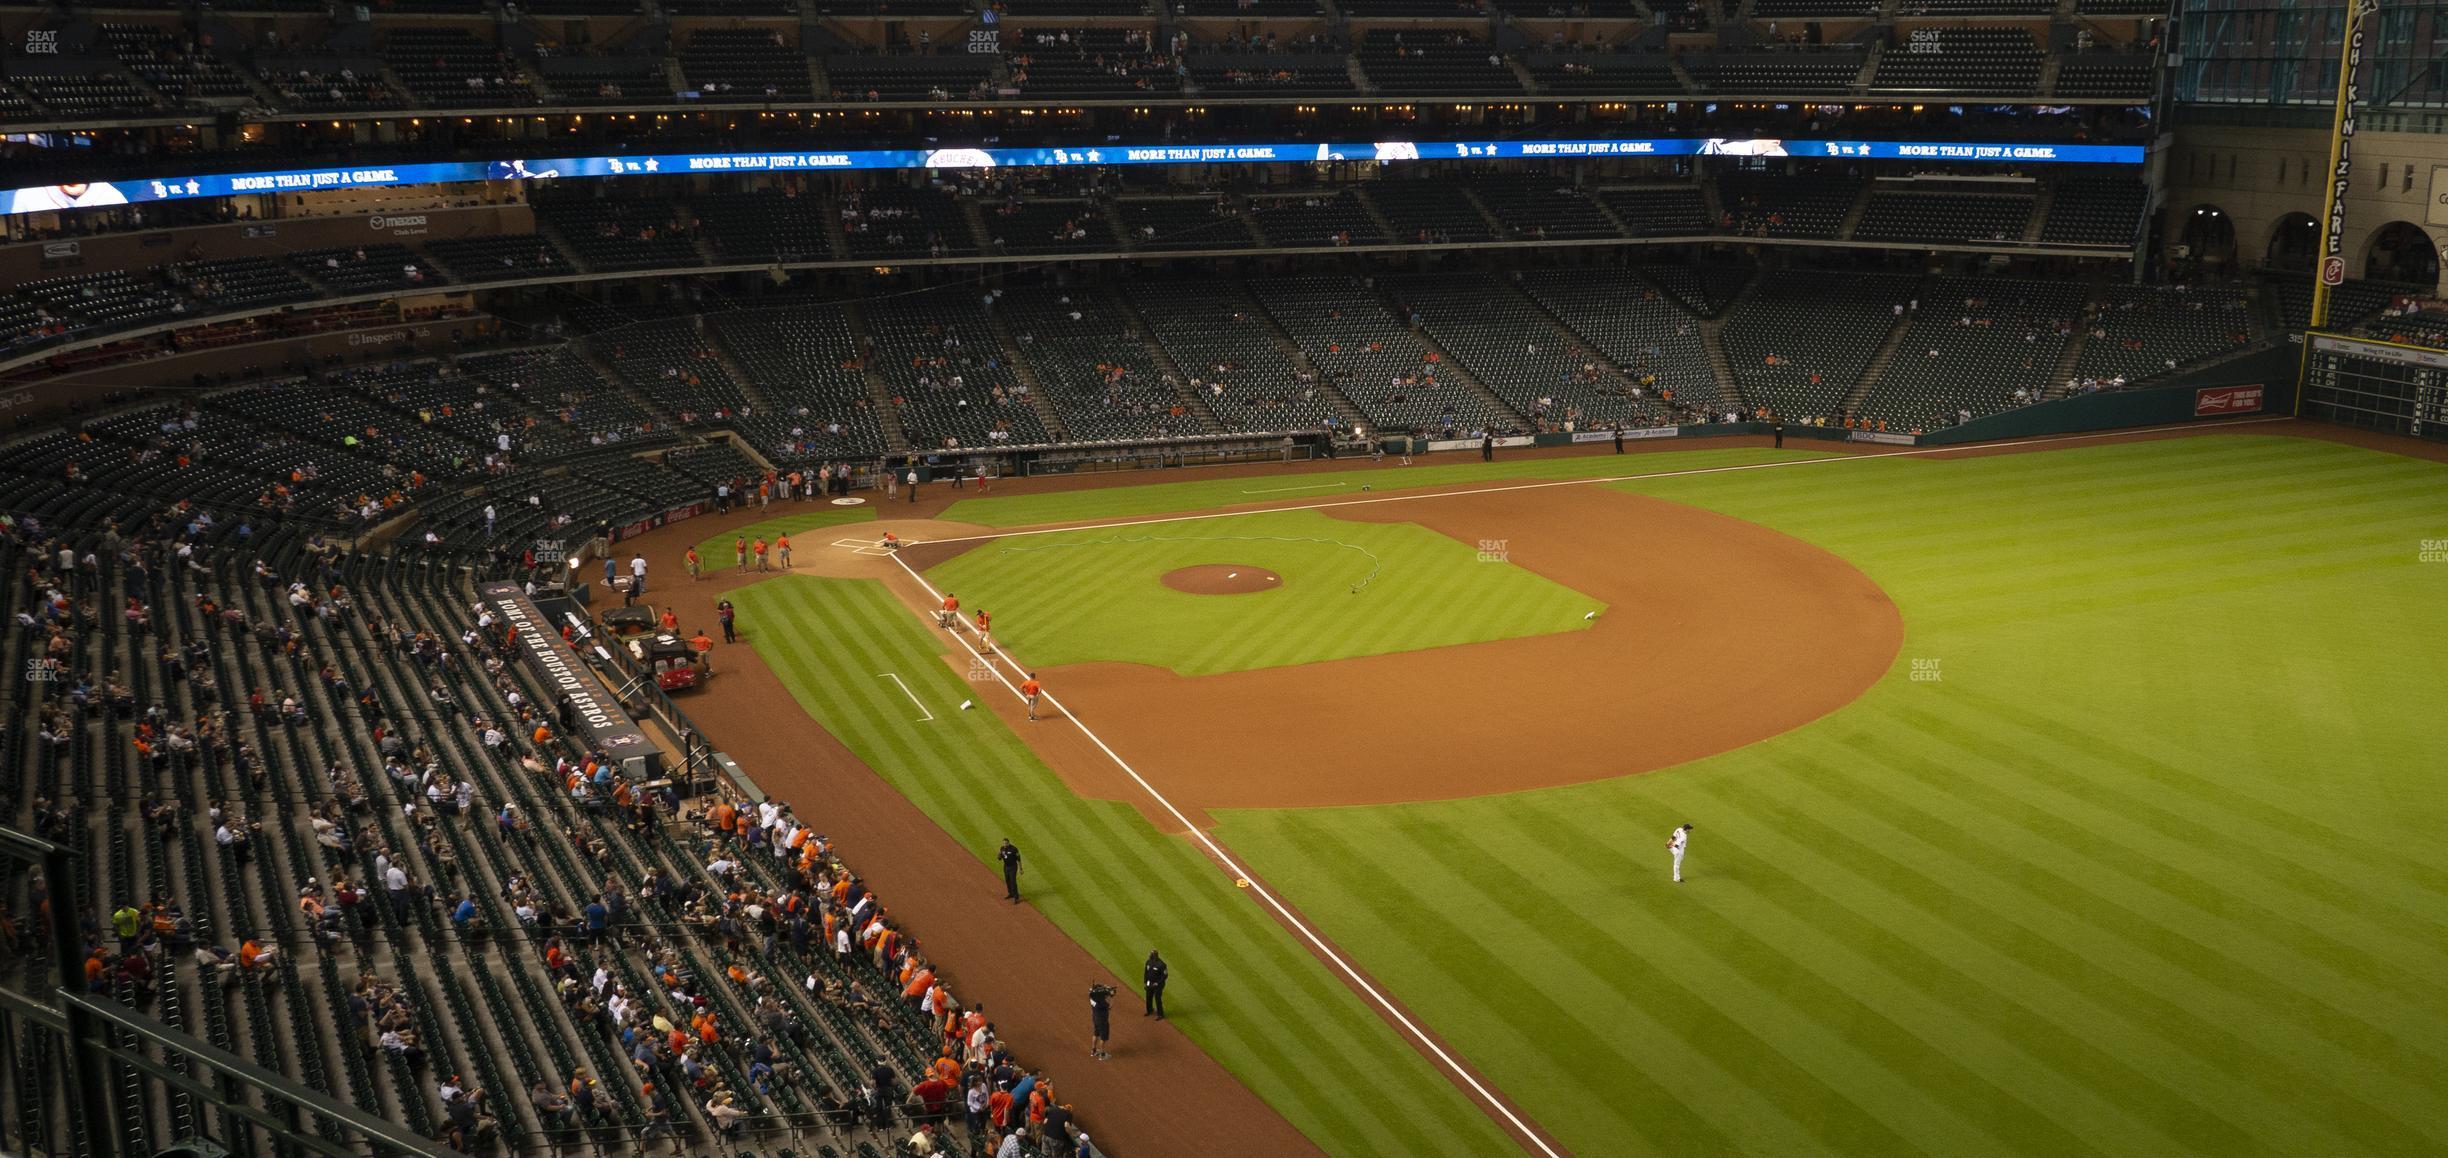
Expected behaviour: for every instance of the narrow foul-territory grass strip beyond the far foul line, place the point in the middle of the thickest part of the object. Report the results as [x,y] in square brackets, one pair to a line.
[1020,508]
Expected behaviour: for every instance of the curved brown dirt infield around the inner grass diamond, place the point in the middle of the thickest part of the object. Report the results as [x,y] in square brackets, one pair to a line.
[1717,635]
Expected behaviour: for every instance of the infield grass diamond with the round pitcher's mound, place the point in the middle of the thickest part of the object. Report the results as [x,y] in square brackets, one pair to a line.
[1098,596]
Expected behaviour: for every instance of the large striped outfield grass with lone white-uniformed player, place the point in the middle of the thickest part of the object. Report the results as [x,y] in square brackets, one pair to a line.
[2151,868]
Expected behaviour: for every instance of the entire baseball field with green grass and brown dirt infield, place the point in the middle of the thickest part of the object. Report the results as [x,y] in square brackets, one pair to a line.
[2072,799]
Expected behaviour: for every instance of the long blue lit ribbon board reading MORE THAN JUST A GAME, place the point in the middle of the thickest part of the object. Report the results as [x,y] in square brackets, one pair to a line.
[87,195]
